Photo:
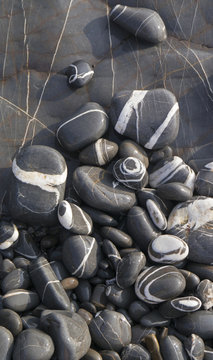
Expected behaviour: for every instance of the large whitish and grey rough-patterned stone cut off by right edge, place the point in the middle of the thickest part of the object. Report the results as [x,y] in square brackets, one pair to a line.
[192,221]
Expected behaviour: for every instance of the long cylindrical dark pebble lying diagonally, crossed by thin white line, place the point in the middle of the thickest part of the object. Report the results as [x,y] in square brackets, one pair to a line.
[47,285]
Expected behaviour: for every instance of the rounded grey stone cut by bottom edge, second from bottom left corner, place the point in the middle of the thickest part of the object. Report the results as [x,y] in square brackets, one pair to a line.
[33,344]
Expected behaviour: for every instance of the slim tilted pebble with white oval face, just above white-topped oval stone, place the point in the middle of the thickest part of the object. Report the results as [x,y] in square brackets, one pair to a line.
[156,214]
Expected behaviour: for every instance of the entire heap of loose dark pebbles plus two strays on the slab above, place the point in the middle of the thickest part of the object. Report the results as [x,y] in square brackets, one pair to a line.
[120,267]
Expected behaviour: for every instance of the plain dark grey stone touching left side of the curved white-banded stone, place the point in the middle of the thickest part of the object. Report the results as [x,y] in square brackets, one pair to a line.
[129,268]
